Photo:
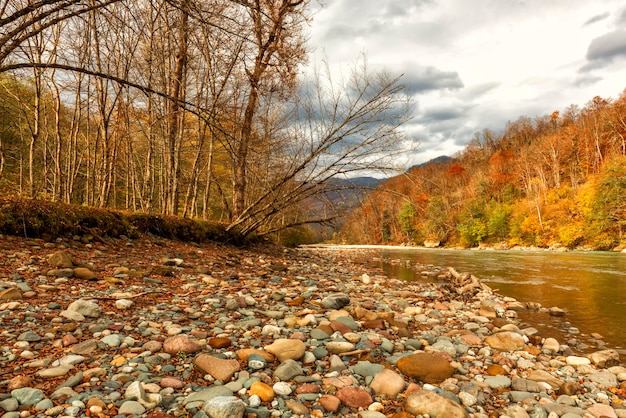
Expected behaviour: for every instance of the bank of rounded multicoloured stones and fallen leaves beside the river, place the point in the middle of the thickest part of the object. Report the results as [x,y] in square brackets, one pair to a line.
[162,329]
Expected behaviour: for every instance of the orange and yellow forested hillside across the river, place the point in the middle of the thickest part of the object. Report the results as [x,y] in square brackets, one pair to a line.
[557,180]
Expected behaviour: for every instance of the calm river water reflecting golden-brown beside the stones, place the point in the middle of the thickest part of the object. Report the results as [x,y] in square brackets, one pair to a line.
[590,286]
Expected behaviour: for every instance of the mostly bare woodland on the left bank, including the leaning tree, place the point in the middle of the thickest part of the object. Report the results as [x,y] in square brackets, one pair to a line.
[199,109]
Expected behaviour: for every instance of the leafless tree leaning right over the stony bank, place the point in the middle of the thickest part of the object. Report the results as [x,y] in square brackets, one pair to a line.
[332,132]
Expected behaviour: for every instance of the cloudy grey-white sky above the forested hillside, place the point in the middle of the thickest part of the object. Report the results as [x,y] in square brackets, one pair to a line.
[476,64]
